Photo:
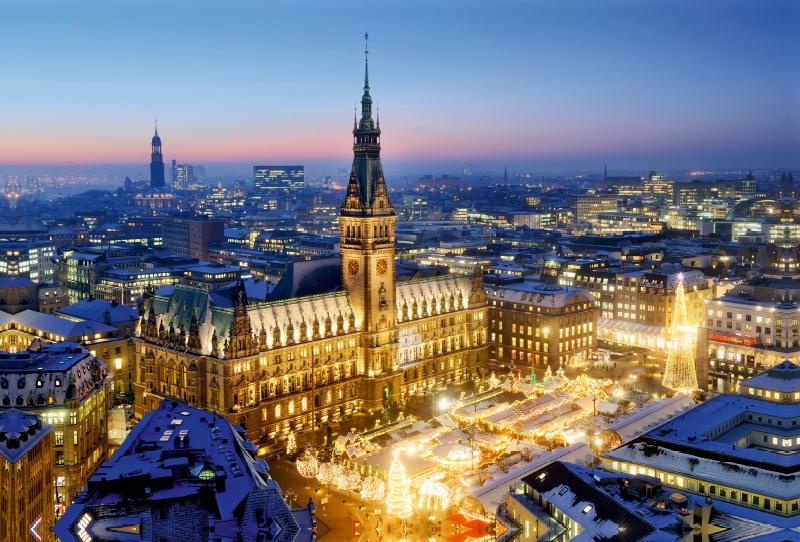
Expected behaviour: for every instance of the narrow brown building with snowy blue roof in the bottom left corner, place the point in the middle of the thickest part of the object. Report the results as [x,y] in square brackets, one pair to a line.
[26,510]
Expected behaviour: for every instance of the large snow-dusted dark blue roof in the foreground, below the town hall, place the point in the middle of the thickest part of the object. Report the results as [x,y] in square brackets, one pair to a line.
[196,470]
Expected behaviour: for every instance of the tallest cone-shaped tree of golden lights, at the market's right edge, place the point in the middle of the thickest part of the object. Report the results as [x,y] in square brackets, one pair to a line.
[680,374]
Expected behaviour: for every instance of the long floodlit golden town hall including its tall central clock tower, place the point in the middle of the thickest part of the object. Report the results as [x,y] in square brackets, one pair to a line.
[334,336]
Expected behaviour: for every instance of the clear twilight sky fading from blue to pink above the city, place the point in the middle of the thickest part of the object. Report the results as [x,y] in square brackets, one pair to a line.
[538,85]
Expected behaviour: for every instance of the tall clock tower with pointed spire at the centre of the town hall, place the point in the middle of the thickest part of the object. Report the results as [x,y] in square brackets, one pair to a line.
[367,224]
